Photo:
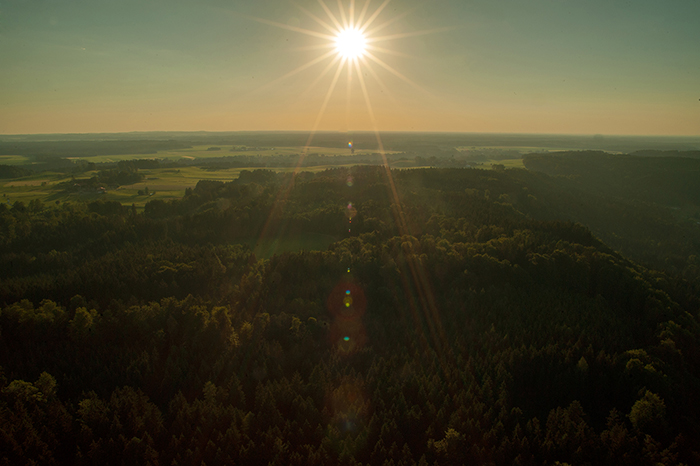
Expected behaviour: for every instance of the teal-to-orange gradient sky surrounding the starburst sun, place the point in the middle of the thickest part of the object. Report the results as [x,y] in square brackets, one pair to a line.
[540,66]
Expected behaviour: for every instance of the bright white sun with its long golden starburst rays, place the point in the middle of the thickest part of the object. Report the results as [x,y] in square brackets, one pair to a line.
[350,40]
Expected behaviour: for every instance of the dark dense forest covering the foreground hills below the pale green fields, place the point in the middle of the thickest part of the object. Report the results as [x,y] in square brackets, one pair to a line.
[459,316]
